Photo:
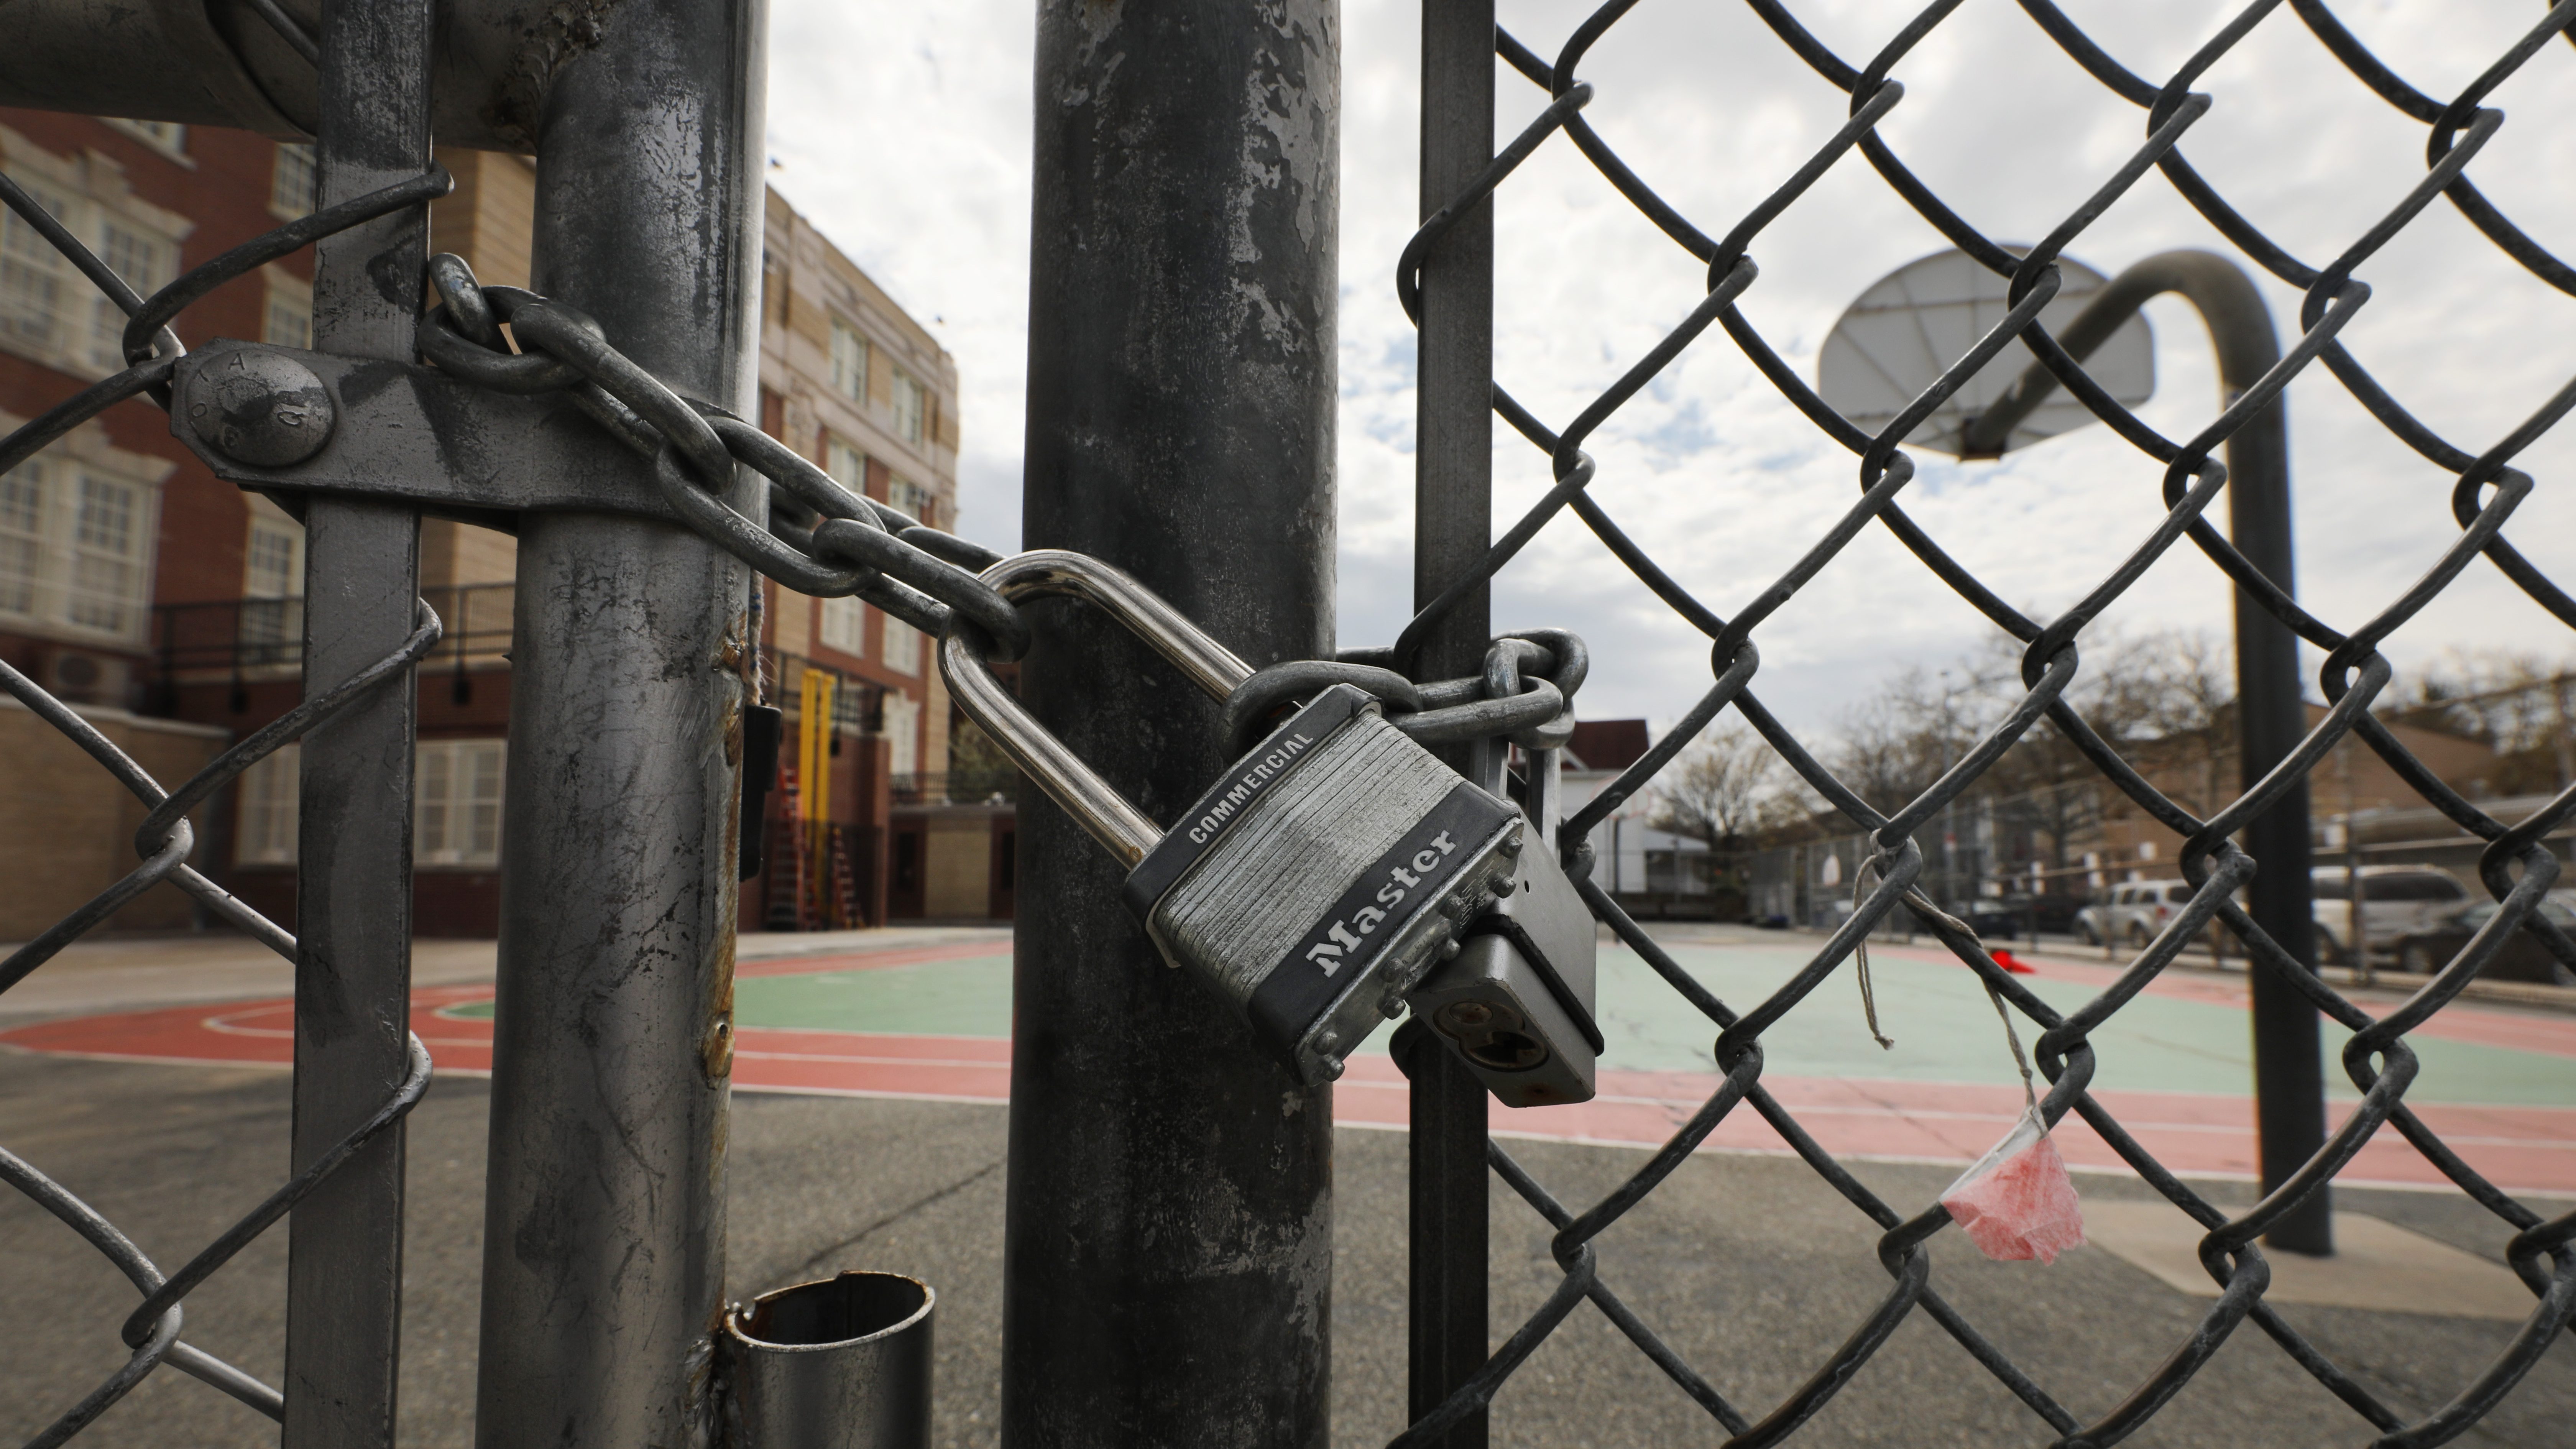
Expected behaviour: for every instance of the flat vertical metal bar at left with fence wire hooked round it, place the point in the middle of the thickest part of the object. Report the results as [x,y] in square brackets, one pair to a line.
[354,901]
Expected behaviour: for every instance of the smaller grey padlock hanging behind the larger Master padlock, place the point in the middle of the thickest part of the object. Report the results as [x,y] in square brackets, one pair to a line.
[1516,1002]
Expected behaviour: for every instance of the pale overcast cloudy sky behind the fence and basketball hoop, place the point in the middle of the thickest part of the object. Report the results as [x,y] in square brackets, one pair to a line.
[905,133]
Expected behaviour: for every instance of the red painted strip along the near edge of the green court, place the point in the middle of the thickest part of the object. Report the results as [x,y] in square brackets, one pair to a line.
[2528,1149]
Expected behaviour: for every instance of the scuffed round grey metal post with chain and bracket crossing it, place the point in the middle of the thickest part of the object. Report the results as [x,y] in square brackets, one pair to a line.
[604,1229]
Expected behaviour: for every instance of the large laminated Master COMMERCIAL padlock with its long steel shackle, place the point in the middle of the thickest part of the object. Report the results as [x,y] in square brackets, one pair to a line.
[1315,880]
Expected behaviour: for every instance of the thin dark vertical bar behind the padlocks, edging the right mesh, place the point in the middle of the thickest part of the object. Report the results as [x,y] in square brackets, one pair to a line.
[1454,512]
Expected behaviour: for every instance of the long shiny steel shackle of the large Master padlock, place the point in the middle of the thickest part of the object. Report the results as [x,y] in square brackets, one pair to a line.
[1073,785]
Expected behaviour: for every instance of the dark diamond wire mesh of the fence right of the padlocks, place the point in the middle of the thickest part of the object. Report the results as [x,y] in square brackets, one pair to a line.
[2515,865]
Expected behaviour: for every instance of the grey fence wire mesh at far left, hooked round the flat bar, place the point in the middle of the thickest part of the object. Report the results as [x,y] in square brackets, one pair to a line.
[166,837]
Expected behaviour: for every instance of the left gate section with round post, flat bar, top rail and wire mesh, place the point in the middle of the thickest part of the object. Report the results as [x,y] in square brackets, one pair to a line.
[632,661]
